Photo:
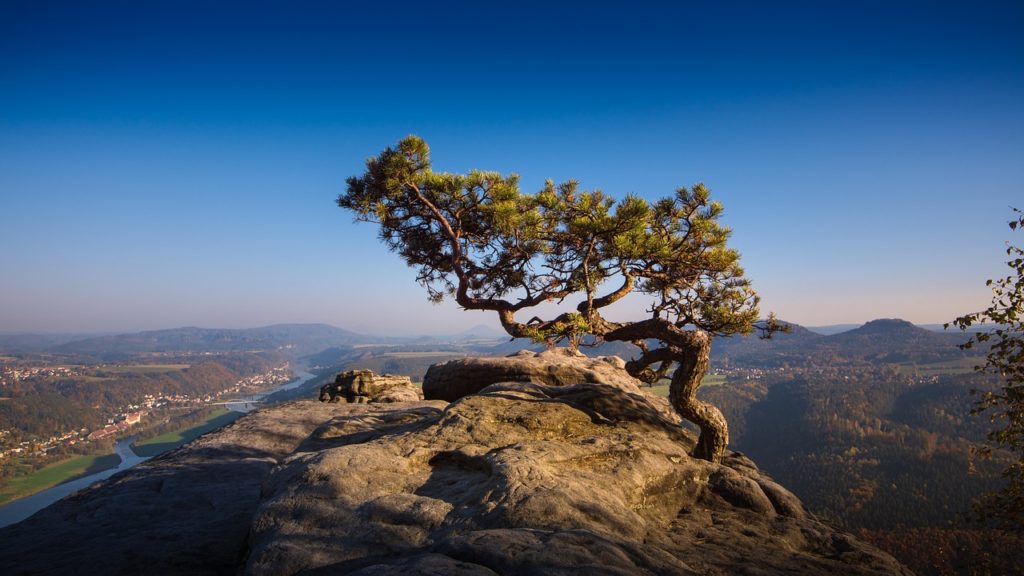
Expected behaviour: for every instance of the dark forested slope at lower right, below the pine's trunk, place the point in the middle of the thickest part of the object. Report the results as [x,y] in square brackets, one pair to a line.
[887,452]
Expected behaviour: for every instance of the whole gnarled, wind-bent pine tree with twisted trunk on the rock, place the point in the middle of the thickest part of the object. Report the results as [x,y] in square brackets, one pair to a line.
[478,238]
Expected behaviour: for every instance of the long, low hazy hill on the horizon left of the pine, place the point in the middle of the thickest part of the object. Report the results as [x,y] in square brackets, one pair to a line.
[298,339]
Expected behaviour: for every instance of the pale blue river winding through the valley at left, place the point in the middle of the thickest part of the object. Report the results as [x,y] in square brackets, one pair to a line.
[24,508]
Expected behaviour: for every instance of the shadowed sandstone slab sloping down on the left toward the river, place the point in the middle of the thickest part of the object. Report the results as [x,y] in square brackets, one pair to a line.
[187,512]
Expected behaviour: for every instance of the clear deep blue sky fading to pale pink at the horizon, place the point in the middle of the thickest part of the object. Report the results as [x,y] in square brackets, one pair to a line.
[174,163]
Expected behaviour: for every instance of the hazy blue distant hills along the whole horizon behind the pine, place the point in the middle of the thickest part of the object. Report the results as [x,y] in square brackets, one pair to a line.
[885,341]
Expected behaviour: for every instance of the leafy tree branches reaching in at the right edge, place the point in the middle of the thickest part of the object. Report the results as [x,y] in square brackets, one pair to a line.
[1006,359]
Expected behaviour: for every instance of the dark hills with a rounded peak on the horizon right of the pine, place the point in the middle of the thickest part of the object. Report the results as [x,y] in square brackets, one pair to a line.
[879,342]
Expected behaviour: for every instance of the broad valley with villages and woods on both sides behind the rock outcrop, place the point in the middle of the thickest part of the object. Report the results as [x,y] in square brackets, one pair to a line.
[871,428]
